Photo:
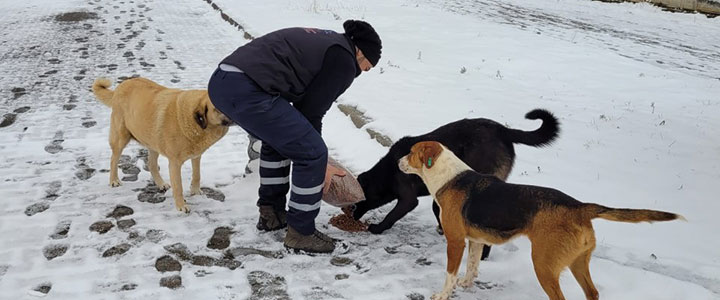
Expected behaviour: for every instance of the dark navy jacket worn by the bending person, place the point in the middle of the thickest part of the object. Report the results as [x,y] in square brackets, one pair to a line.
[309,67]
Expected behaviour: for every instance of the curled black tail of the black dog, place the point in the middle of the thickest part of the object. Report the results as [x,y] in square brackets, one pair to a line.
[543,136]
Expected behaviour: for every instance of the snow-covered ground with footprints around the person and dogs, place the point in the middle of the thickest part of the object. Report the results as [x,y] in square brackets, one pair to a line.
[634,87]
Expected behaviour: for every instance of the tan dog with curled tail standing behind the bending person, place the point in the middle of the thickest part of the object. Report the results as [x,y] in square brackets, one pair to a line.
[179,124]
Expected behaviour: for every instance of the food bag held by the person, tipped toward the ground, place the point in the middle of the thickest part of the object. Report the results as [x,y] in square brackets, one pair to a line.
[343,191]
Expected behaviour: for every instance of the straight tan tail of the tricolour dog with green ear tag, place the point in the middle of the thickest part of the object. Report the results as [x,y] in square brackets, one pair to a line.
[629,215]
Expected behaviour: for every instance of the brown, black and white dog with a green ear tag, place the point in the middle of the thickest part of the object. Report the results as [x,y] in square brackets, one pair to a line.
[486,210]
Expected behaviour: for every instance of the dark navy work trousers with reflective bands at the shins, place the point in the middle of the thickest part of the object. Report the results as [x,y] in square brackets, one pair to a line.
[286,136]
